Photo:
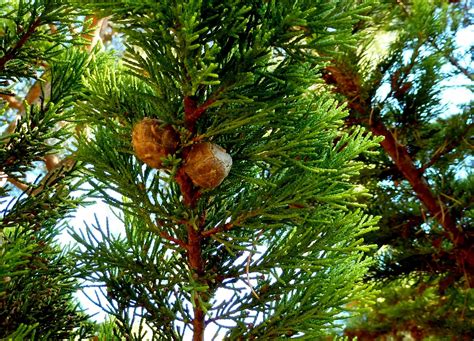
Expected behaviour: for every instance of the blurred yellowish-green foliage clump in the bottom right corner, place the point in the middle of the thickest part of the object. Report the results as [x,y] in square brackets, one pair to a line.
[410,306]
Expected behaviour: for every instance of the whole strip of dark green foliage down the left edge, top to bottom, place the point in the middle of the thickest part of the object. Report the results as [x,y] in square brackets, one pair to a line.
[37,278]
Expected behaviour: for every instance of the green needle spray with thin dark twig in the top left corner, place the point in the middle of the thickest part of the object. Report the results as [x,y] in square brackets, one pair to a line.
[32,33]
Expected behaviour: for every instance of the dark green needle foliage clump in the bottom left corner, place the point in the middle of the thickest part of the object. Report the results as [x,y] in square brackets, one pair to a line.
[37,285]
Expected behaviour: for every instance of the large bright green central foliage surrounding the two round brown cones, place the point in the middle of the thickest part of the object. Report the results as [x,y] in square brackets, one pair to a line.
[280,238]
